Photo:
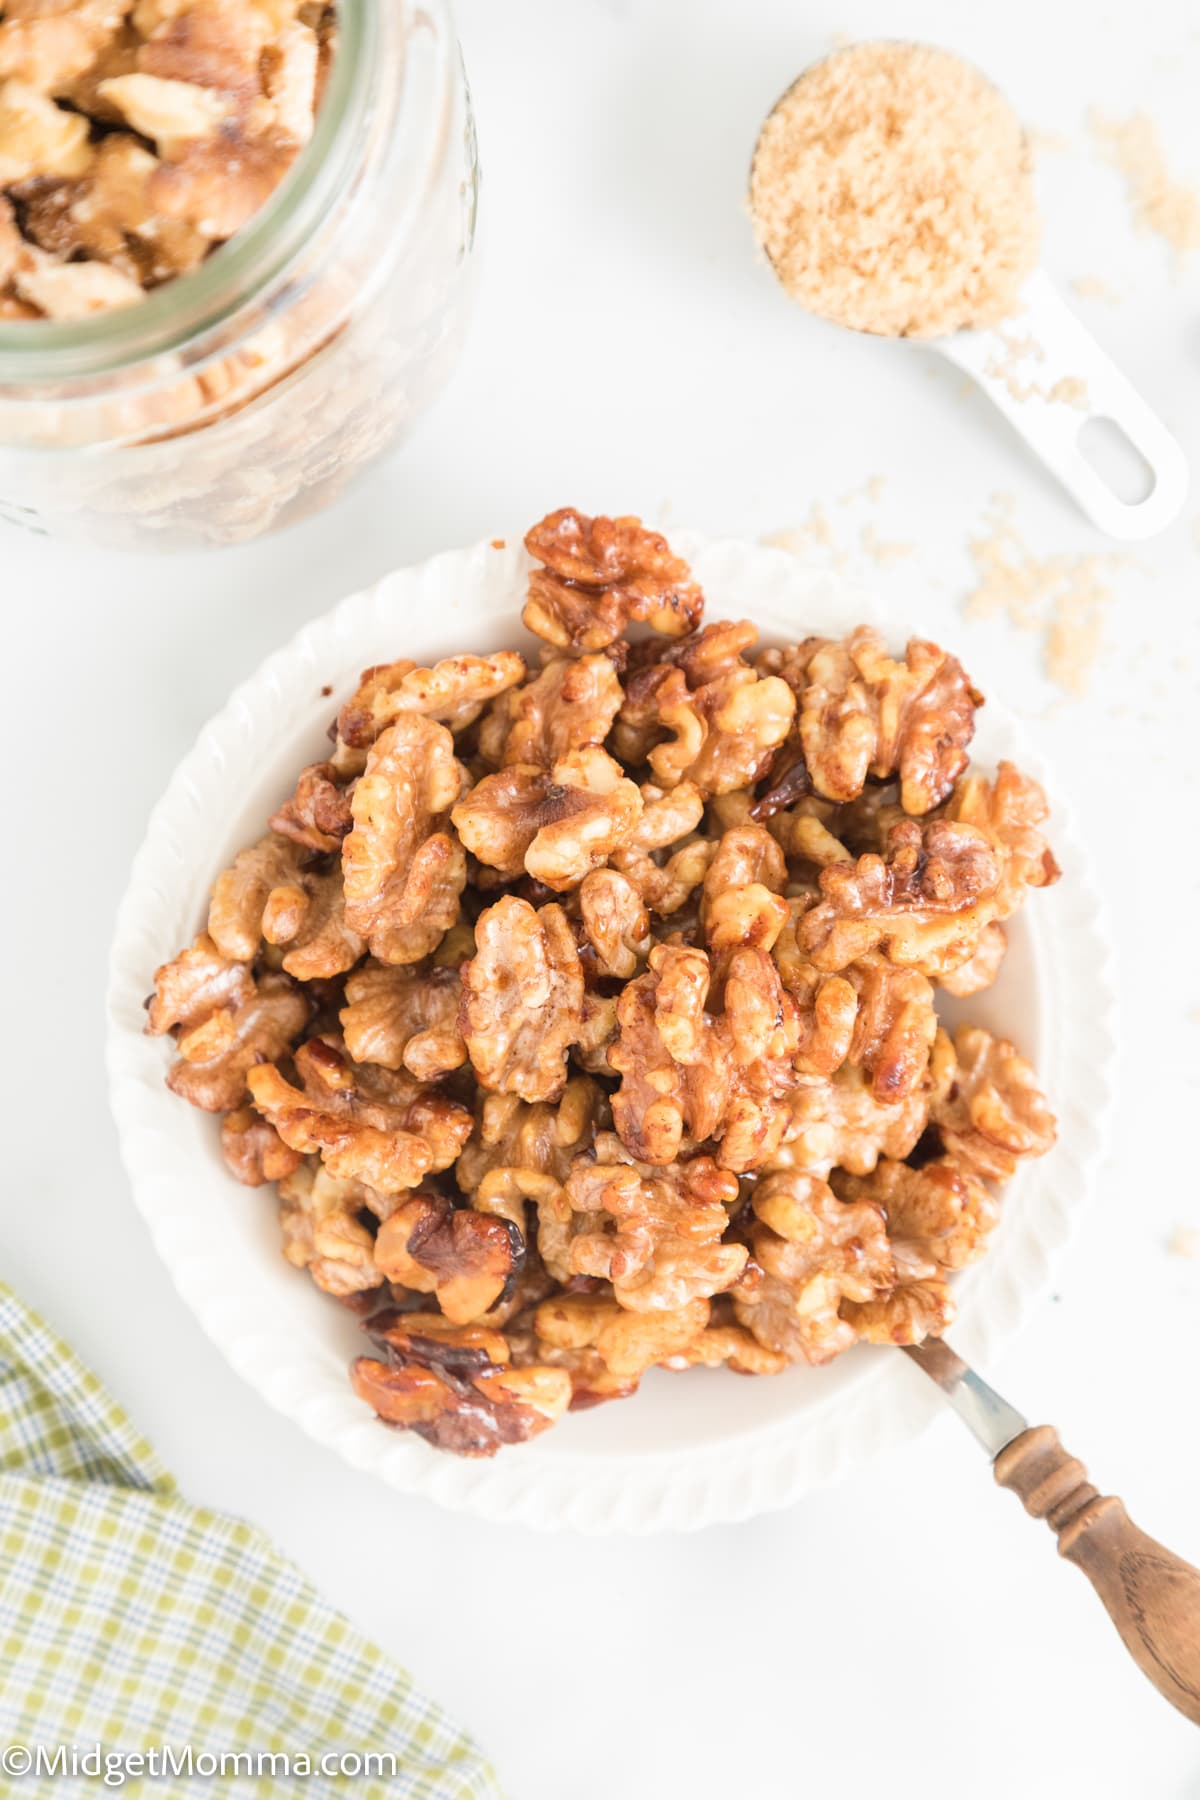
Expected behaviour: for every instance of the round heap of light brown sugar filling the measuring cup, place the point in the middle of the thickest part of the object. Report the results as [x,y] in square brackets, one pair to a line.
[893,192]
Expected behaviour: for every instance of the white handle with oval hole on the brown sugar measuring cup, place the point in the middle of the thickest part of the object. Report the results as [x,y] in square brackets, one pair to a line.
[1061,350]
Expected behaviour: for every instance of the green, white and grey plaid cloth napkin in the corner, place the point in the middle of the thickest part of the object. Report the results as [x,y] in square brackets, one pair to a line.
[132,1623]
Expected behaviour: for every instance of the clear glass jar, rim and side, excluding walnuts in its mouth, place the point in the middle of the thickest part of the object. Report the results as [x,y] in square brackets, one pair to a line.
[246,395]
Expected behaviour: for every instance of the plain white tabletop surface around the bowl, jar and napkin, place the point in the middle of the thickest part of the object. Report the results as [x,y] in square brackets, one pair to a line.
[909,1632]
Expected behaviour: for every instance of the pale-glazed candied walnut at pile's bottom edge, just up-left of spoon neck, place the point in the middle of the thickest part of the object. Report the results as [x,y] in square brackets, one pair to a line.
[816,1254]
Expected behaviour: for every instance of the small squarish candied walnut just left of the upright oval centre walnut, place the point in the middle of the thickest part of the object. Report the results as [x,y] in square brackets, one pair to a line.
[404,1020]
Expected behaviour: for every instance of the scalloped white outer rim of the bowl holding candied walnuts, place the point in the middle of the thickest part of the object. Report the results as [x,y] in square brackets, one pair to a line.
[672,1489]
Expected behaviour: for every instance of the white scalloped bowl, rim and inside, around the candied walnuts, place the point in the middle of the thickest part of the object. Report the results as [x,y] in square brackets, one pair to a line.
[688,1450]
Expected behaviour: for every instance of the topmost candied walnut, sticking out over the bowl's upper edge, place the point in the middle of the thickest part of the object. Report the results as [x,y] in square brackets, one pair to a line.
[602,575]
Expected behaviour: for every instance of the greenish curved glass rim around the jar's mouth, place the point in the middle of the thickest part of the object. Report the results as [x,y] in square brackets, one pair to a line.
[188,309]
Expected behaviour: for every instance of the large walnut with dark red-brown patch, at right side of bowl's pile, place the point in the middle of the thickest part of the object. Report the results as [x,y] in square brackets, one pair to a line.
[926,904]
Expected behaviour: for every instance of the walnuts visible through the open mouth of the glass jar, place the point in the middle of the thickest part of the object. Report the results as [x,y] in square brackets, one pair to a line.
[136,136]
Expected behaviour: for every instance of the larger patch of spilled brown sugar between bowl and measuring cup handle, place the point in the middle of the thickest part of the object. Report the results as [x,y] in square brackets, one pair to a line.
[1062,598]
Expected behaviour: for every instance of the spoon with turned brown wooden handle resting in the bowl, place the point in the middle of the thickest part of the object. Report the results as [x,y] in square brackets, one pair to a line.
[1151,1594]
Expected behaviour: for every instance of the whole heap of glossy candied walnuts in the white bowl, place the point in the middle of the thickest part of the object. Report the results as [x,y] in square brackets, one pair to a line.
[584,1012]
